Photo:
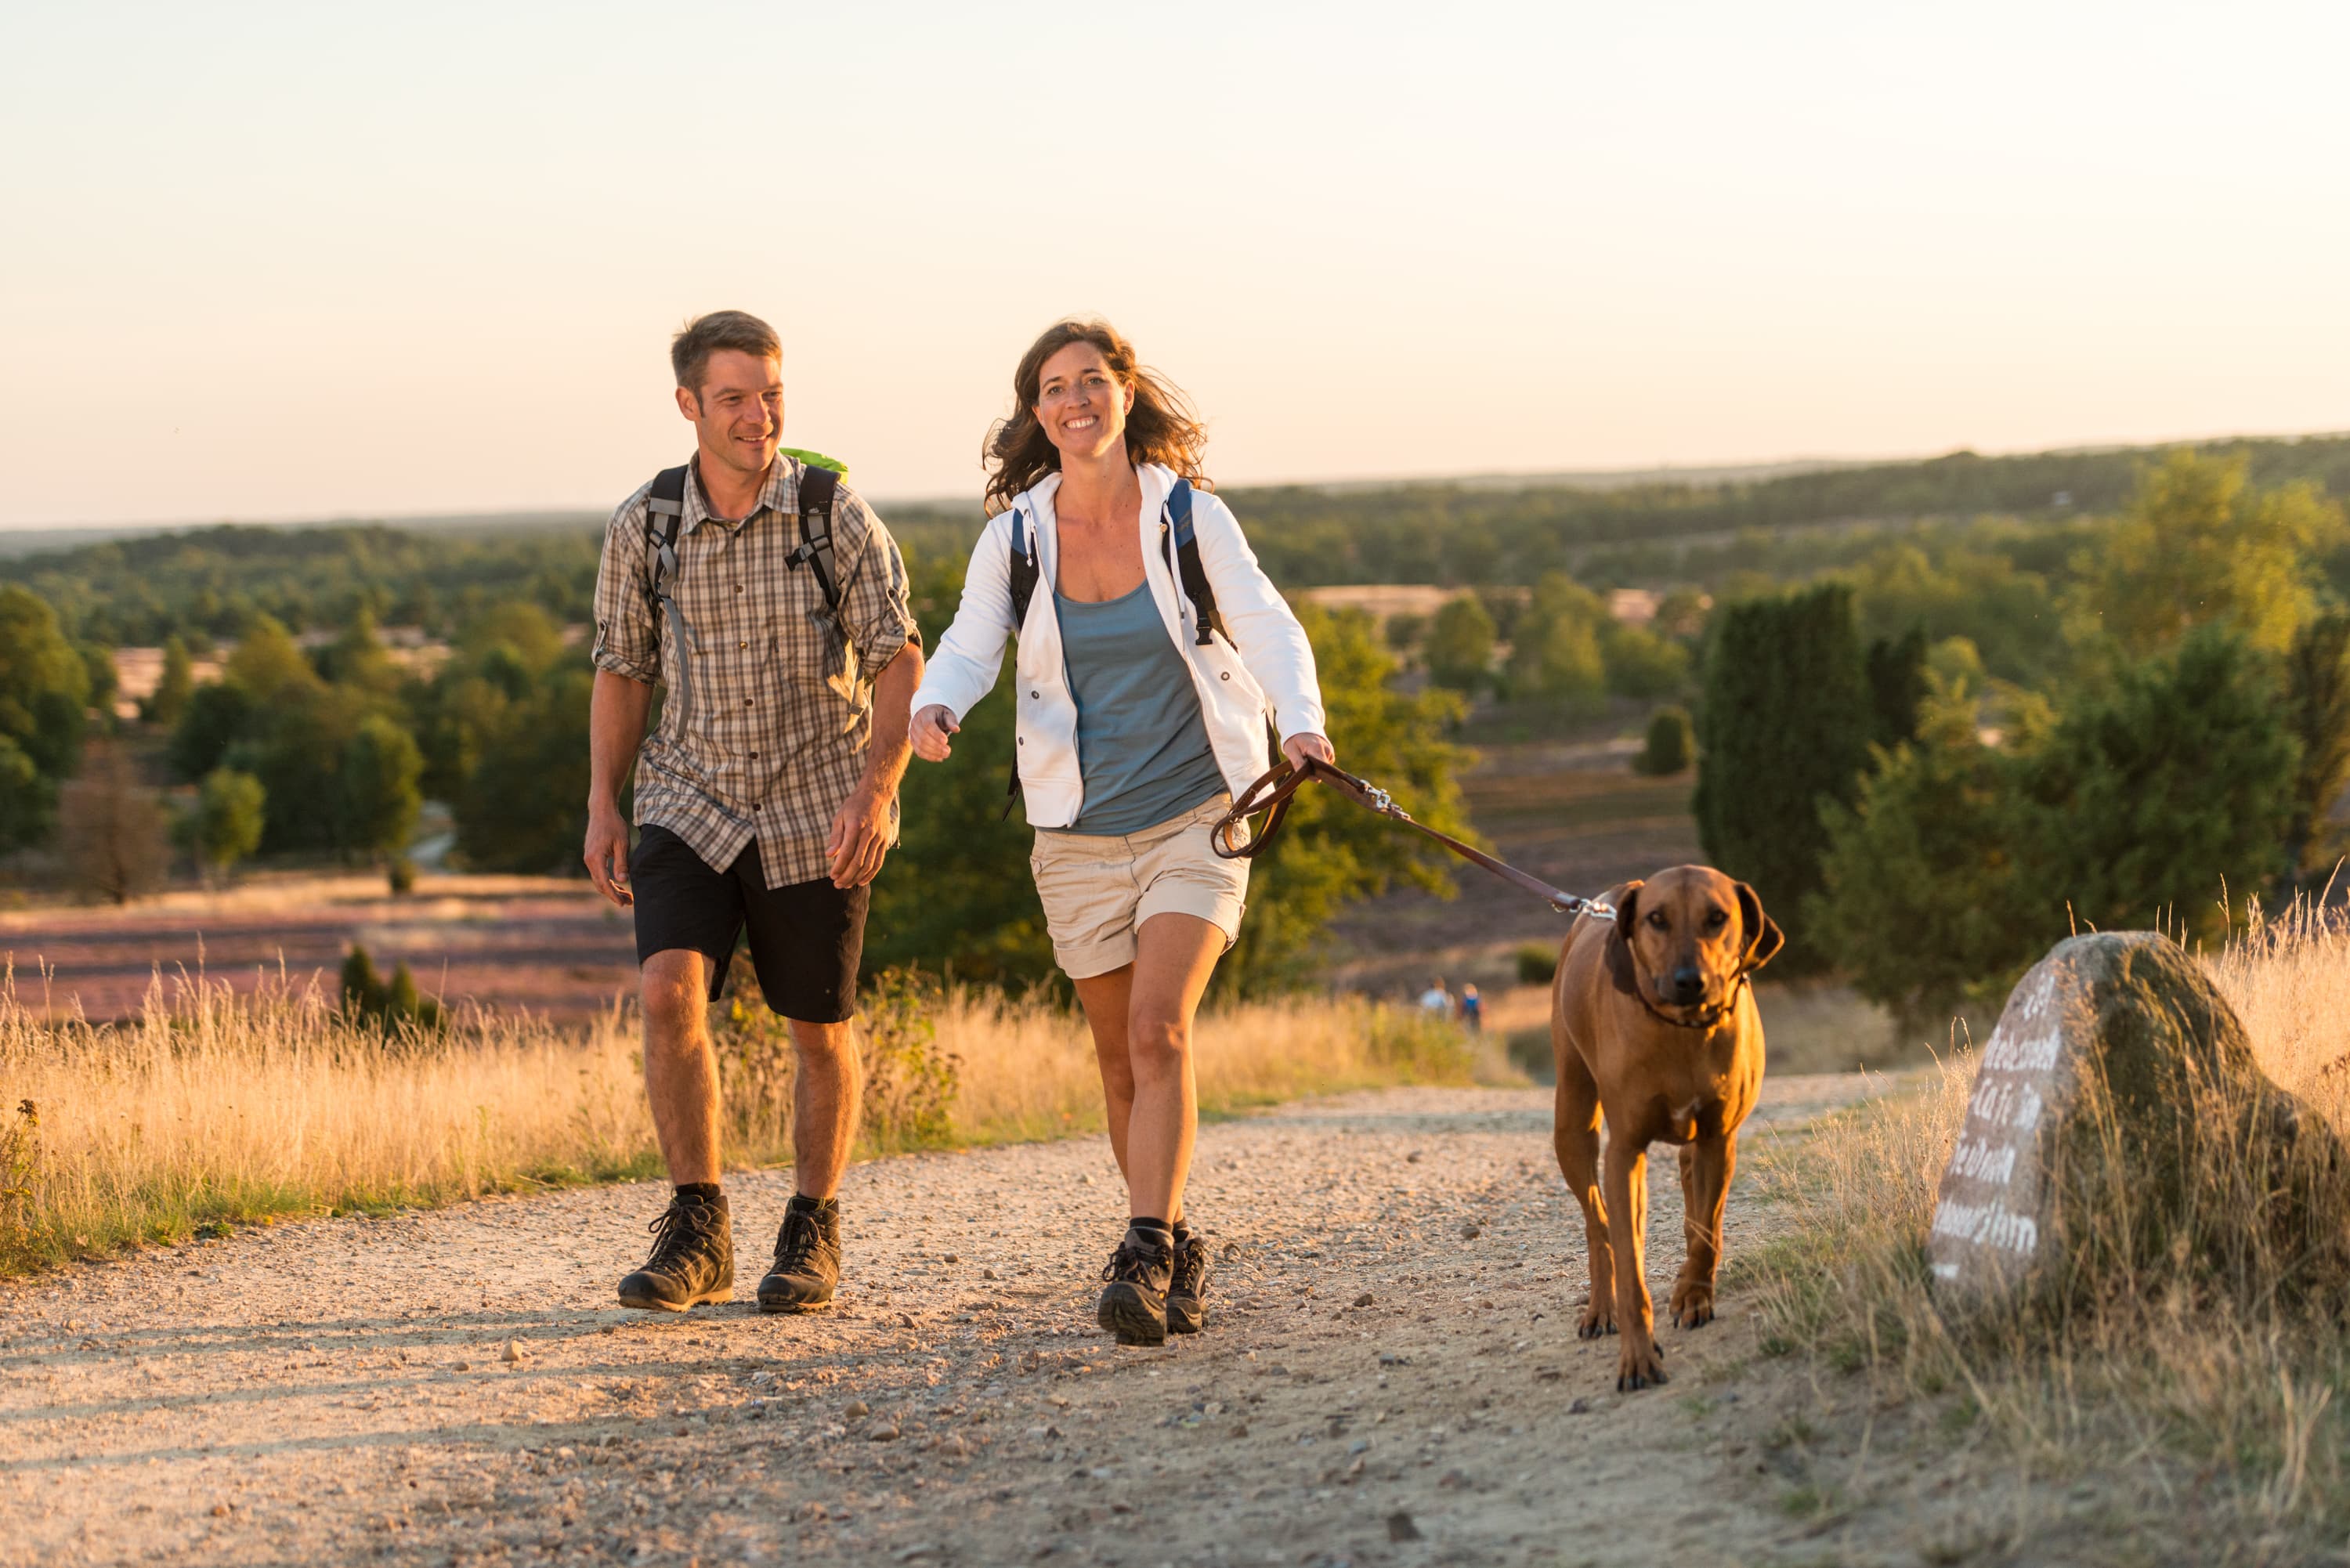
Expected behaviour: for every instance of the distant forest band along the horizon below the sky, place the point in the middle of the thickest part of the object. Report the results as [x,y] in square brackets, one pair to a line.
[208,584]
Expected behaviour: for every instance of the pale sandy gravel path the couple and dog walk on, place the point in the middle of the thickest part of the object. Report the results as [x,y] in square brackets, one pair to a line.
[1376,1386]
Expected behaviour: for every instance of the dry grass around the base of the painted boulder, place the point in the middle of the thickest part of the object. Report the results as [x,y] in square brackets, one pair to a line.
[2198,1381]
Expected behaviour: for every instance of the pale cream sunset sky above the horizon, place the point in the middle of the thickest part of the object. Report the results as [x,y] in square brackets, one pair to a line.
[316,260]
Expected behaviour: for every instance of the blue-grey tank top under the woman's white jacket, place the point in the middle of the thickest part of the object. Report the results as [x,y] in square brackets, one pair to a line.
[1141,744]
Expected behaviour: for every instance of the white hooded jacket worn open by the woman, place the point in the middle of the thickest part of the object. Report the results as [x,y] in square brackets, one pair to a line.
[1270,671]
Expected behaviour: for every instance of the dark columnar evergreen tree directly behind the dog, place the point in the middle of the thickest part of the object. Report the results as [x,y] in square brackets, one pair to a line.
[1785,730]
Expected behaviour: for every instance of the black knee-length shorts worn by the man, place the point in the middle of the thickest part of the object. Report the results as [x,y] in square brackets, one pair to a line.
[805,939]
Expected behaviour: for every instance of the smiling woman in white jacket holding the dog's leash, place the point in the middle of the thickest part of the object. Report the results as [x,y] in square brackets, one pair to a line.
[1139,721]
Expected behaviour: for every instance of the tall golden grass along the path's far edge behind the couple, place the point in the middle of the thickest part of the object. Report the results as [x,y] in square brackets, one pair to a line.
[215,1108]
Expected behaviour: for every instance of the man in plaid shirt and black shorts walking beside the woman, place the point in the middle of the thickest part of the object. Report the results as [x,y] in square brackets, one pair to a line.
[767,798]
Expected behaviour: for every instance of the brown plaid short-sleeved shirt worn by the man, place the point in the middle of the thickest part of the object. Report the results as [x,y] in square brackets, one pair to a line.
[767,732]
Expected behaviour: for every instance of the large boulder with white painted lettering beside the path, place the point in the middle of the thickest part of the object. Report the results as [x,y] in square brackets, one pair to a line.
[2121,1134]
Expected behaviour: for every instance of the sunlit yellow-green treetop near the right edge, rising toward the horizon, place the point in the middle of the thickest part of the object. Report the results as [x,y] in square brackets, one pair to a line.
[2201,547]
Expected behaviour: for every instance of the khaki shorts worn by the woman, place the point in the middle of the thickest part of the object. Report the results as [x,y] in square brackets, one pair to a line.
[1099,890]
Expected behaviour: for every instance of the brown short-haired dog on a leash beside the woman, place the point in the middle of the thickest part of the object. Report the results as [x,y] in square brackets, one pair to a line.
[1656,1026]
